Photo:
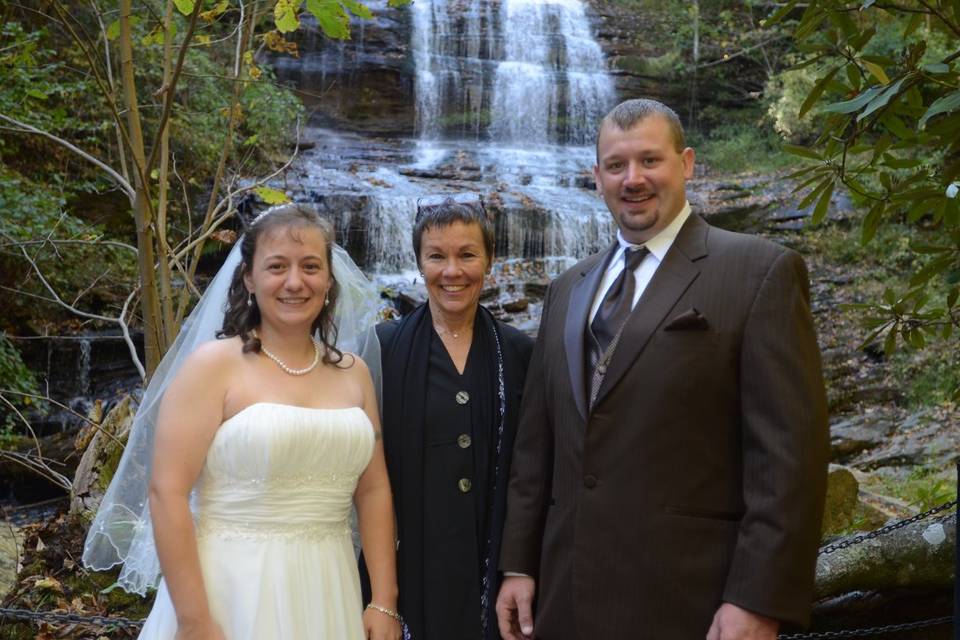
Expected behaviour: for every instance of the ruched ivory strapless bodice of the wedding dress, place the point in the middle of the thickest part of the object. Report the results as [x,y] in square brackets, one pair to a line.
[278,471]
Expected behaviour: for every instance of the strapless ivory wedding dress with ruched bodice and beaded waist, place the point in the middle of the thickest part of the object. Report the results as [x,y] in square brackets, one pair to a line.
[273,534]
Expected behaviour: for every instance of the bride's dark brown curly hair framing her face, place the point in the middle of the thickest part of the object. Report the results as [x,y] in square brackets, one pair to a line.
[240,319]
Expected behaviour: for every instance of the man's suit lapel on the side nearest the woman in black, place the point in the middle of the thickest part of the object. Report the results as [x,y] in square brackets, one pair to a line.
[581,299]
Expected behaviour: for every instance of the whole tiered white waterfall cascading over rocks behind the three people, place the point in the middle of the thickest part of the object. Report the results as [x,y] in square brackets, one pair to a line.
[507,97]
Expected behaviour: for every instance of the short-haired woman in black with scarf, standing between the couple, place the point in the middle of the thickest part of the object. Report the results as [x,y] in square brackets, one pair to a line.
[452,382]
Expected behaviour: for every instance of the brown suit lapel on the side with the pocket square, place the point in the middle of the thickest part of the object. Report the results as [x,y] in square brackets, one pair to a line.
[673,277]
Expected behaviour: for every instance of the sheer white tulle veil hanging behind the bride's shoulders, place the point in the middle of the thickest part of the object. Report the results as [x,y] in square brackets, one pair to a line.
[121,532]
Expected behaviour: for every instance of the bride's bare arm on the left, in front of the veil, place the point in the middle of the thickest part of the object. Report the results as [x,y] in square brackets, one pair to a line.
[190,413]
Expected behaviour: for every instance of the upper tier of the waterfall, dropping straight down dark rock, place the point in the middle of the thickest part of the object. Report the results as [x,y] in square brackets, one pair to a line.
[545,82]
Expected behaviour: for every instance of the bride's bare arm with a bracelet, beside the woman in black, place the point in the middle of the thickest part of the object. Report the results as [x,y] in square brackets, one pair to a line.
[375,514]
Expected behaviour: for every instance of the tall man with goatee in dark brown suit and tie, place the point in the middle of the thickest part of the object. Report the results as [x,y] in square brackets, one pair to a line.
[670,464]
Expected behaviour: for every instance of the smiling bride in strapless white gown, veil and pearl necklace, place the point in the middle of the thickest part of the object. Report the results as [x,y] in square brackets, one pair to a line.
[261,439]
